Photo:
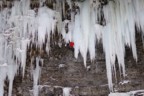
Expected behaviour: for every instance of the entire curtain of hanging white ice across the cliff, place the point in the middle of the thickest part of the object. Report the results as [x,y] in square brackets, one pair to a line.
[92,21]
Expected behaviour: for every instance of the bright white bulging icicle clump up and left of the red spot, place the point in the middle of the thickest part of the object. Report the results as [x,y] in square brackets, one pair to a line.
[46,23]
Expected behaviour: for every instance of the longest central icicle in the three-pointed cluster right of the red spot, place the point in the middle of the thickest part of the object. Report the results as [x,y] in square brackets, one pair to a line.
[85,25]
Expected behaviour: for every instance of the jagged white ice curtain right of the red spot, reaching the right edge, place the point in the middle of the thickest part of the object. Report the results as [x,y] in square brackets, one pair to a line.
[116,31]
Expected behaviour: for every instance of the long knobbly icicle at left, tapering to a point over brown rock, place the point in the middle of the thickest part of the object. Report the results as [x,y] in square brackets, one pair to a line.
[19,19]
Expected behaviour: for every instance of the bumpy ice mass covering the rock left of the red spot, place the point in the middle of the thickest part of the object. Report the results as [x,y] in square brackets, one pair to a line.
[21,27]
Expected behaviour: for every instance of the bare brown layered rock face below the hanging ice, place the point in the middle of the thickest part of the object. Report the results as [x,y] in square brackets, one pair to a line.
[62,70]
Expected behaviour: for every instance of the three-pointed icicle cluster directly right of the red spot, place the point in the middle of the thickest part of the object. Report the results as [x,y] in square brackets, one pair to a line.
[82,31]
